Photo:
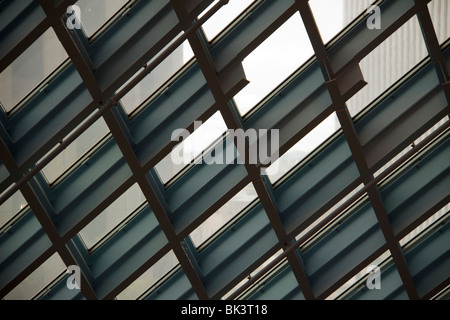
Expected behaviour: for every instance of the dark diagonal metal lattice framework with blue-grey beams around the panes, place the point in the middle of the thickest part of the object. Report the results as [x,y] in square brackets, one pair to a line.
[277,248]
